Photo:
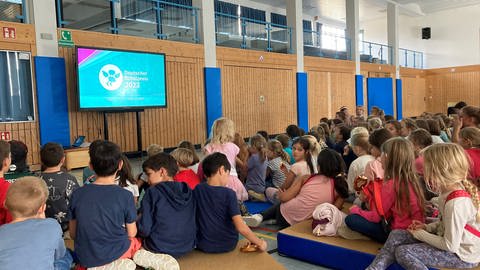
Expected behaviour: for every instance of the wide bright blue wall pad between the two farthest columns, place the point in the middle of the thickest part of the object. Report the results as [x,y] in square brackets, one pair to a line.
[380,94]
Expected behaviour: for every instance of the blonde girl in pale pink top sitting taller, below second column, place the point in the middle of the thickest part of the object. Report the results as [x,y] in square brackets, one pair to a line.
[223,134]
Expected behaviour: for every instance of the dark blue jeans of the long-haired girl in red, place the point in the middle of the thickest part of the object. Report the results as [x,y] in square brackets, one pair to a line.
[360,224]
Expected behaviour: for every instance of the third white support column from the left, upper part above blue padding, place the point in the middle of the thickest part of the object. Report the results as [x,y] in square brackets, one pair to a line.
[295,21]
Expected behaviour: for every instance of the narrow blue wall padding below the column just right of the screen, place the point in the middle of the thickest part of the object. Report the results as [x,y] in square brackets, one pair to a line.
[213,95]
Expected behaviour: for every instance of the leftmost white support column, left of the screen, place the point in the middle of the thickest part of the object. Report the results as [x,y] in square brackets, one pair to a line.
[44,18]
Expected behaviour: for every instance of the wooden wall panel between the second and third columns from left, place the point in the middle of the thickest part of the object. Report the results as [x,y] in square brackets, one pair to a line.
[243,89]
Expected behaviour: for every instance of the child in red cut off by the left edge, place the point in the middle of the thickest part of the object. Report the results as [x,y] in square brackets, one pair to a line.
[5,160]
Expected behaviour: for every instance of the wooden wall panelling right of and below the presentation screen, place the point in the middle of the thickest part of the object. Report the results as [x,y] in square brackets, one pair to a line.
[184,117]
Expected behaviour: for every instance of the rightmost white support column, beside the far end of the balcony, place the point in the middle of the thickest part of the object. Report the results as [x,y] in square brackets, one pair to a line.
[392,23]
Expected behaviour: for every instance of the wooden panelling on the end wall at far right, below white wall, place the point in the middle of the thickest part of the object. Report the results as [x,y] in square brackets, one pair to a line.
[452,85]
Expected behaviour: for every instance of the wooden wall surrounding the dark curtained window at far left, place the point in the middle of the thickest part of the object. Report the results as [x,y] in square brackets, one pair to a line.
[28,132]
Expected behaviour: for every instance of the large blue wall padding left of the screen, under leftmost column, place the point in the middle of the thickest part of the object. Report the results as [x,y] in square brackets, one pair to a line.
[52,100]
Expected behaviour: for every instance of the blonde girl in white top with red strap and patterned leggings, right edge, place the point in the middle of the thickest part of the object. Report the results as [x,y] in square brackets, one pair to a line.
[453,241]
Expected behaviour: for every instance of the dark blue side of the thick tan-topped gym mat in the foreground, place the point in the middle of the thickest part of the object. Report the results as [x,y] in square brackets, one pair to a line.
[324,254]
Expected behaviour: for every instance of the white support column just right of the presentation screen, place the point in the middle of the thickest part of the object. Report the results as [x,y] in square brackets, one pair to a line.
[207,30]
